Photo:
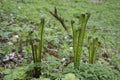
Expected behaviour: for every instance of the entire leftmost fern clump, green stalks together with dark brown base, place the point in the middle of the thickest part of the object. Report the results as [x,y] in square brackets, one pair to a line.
[36,42]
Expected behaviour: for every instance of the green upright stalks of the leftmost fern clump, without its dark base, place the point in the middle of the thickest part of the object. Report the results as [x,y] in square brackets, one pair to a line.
[36,42]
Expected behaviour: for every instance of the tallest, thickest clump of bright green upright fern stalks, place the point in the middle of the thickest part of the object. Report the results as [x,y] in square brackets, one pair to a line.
[78,38]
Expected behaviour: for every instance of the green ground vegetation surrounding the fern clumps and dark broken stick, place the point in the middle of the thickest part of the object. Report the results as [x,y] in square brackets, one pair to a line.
[19,17]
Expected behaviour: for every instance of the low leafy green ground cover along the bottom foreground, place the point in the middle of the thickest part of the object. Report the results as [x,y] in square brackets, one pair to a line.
[86,71]
